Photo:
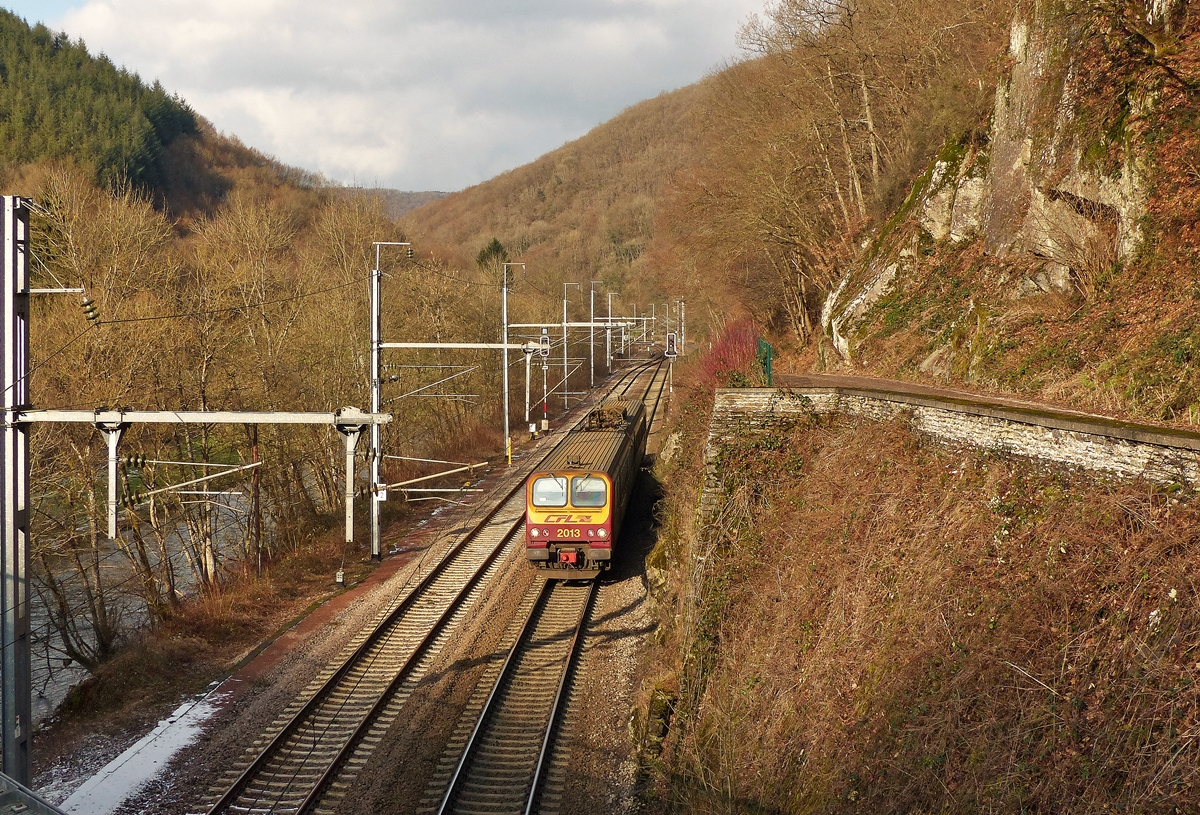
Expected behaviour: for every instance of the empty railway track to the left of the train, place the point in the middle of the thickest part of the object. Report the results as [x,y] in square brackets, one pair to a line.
[320,744]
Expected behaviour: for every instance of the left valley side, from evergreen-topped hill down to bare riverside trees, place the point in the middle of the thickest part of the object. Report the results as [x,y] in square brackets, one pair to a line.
[223,280]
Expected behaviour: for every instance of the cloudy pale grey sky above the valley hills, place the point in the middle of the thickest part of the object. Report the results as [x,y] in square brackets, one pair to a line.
[406,94]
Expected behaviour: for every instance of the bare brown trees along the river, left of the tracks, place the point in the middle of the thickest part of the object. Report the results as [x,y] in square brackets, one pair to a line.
[262,307]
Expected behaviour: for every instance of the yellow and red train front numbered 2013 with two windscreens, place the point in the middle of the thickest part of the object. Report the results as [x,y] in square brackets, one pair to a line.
[569,524]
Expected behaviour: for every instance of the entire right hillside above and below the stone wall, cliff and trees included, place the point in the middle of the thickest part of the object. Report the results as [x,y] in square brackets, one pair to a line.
[856,619]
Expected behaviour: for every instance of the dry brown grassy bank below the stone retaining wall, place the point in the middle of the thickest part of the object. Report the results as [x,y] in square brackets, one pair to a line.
[890,627]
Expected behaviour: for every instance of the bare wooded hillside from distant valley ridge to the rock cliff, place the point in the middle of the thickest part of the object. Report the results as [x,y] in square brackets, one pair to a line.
[748,193]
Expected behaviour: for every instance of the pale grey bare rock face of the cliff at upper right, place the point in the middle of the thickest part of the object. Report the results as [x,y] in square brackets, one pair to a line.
[1054,195]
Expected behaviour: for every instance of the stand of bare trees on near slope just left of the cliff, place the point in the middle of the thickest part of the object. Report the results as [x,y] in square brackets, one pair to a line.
[803,151]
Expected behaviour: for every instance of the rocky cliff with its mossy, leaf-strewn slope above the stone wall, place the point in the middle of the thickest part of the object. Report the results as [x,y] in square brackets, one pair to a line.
[1051,249]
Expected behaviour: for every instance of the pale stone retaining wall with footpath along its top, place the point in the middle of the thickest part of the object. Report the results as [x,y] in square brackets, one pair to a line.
[1126,451]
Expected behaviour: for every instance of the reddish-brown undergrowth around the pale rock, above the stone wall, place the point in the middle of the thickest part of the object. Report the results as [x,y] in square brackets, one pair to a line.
[1119,332]
